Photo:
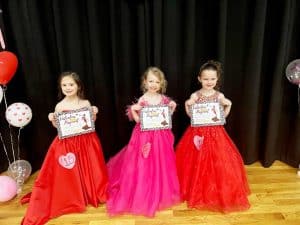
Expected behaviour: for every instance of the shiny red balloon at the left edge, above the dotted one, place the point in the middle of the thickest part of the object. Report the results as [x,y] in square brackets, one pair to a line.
[8,66]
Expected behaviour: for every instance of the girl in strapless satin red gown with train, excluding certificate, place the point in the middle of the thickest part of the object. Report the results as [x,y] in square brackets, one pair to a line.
[73,174]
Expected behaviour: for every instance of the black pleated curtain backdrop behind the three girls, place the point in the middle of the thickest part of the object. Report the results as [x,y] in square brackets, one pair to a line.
[110,44]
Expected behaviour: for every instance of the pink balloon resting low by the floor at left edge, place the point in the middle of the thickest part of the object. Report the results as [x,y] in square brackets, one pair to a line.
[8,188]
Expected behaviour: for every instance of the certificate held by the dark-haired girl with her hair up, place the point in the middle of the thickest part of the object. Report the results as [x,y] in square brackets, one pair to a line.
[207,114]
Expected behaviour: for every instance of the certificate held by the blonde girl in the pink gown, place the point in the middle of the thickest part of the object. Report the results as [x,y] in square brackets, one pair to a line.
[155,118]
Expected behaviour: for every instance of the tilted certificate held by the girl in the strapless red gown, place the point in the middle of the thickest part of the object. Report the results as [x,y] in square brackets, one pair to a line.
[74,122]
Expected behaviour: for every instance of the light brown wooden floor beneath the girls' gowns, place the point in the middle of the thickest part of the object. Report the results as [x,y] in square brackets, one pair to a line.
[275,200]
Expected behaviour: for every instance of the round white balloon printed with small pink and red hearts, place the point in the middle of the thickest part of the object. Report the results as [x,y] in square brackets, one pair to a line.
[18,114]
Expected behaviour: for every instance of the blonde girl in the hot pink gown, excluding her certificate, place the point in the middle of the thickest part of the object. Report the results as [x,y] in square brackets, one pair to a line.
[142,176]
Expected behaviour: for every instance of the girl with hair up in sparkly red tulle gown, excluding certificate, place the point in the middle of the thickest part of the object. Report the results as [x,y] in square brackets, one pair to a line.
[210,169]
